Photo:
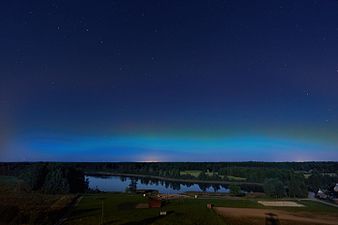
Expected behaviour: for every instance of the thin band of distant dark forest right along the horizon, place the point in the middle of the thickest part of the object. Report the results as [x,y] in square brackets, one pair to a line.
[322,167]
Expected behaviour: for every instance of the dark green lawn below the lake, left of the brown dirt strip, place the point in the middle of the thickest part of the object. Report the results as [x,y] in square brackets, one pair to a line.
[120,209]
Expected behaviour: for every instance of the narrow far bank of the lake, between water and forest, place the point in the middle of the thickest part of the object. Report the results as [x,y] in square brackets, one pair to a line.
[195,181]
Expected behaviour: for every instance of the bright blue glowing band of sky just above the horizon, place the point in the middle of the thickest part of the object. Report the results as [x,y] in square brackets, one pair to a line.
[145,148]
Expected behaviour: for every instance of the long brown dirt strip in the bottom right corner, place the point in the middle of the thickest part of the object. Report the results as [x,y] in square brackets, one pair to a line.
[281,215]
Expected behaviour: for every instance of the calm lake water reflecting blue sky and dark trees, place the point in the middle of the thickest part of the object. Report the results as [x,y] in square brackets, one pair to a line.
[120,184]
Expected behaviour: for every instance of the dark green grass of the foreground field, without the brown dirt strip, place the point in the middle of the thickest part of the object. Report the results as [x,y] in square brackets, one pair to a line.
[120,209]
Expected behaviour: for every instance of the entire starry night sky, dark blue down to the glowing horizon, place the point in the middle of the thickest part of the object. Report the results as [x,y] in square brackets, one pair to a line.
[157,80]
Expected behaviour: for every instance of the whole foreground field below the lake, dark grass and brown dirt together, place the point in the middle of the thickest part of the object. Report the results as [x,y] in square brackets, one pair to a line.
[122,209]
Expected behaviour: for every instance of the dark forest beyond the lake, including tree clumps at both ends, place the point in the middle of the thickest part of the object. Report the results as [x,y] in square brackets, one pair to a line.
[279,178]
